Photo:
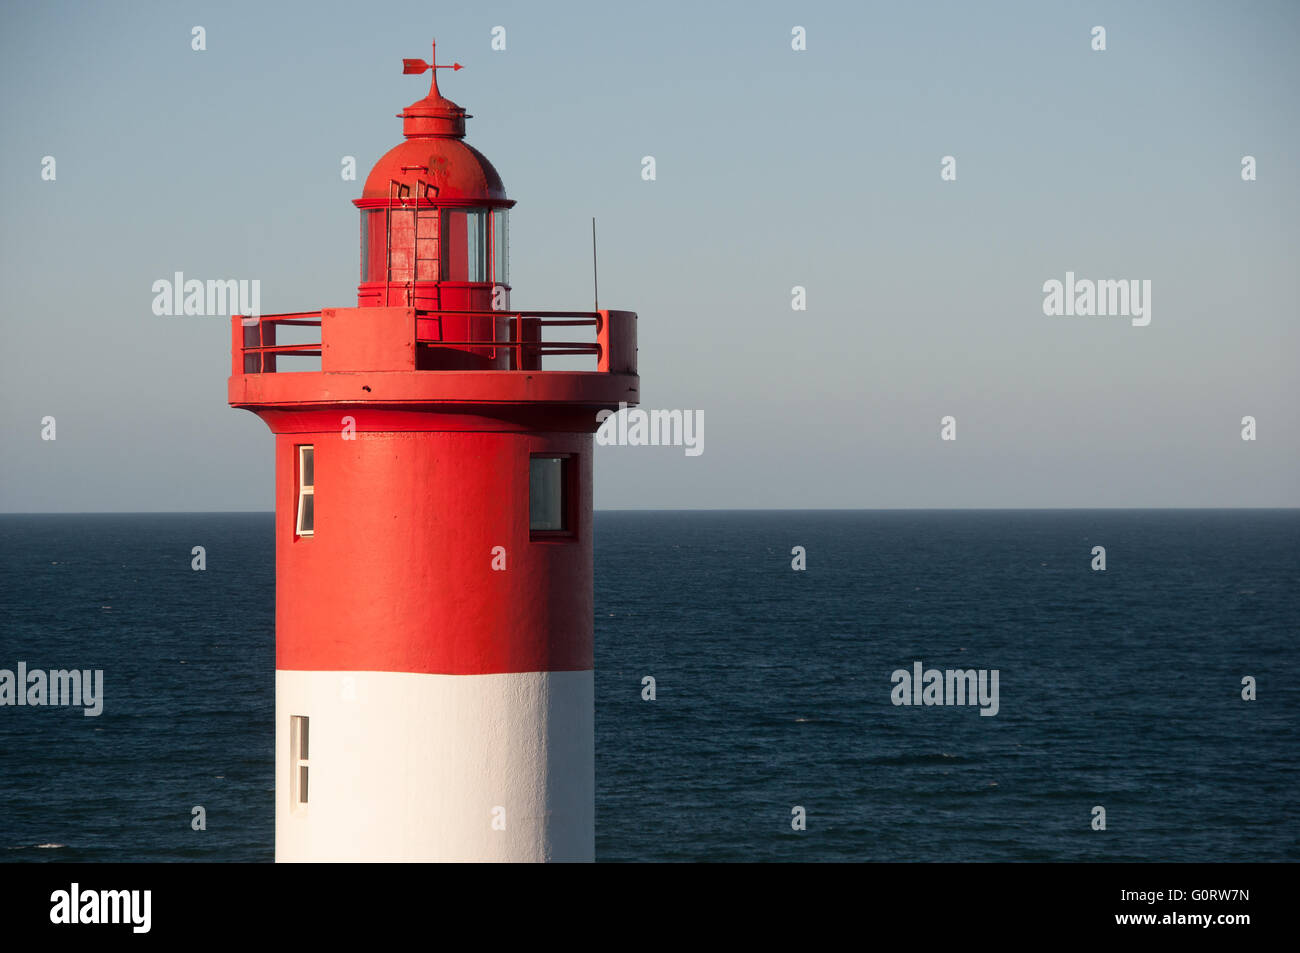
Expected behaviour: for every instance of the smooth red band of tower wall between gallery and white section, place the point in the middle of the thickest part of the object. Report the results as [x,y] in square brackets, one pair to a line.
[400,571]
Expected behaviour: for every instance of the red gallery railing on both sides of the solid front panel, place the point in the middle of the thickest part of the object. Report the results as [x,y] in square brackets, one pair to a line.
[257,349]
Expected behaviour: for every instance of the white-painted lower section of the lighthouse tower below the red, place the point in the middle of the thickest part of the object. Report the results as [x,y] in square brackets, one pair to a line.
[432,768]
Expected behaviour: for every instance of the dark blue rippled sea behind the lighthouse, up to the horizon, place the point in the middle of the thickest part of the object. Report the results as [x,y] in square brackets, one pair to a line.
[1119,690]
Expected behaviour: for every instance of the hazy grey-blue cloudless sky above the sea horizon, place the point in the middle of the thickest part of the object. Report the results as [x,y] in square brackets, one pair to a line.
[774,168]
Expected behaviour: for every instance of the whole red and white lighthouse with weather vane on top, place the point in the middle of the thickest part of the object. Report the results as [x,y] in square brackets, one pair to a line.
[434,530]
